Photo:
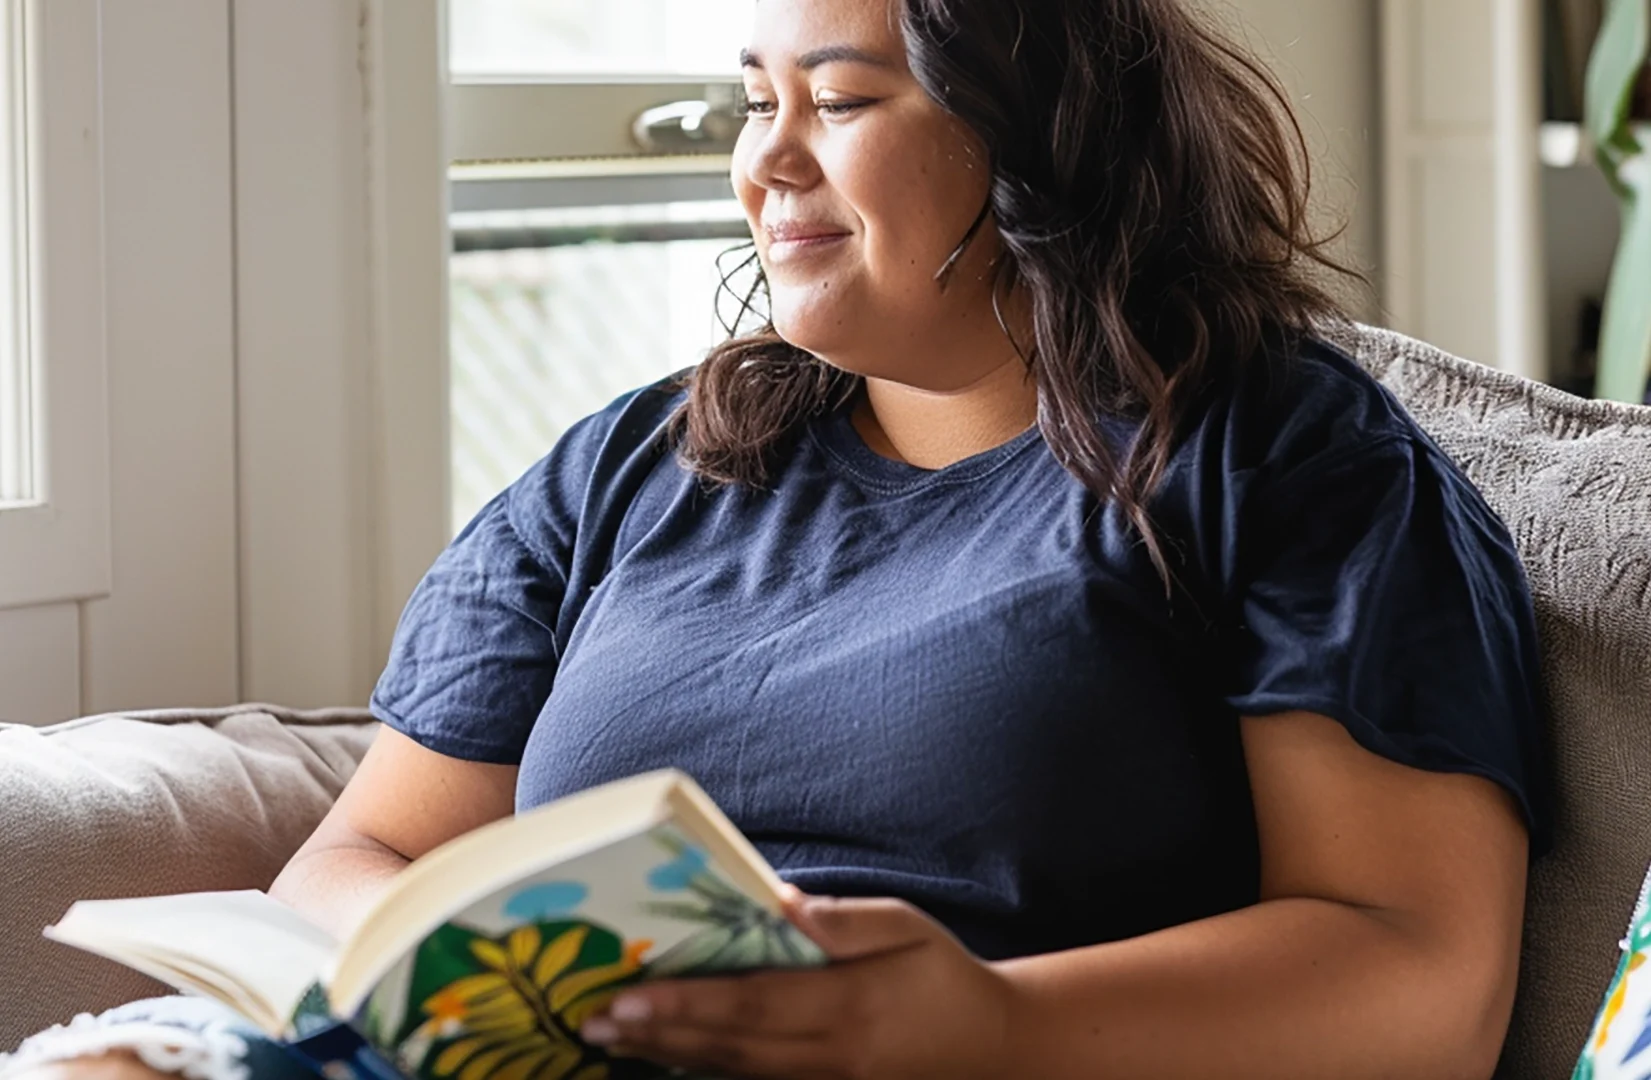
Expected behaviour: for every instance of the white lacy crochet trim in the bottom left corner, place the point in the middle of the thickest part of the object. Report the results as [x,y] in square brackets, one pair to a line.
[194,1054]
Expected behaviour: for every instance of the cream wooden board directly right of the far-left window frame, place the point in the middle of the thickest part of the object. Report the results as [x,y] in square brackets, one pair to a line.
[169,633]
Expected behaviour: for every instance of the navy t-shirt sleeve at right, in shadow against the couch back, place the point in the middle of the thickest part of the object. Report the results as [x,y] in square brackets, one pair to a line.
[1376,587]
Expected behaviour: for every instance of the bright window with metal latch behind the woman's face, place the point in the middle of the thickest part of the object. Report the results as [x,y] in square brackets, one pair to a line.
[590,211]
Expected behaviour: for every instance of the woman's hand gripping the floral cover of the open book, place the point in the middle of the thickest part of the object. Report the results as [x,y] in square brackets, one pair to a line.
[902,1000]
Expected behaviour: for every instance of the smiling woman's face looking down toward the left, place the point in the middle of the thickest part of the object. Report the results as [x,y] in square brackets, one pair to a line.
[859,189]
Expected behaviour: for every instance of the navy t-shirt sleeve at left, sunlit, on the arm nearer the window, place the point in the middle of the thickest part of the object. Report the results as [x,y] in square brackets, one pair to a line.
[476,648]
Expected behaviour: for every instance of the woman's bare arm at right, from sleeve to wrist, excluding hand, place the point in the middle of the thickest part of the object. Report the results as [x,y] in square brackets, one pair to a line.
[1386,942]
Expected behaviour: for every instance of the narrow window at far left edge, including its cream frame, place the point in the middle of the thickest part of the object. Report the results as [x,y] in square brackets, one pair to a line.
[54,387]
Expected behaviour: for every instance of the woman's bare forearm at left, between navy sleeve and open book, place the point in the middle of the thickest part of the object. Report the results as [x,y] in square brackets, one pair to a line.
[402,803]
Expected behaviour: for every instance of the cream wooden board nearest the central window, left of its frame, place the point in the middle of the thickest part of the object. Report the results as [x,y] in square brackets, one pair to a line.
[303,346]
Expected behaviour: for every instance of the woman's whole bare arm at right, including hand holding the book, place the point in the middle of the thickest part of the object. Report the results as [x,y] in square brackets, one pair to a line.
[1386,945]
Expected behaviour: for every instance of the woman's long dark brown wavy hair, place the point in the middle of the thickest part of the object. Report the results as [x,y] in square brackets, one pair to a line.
[1150,182]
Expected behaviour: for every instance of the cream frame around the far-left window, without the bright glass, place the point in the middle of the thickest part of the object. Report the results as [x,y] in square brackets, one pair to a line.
[57,547]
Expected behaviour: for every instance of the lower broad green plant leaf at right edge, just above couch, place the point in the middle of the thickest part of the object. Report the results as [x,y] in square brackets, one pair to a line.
[1625,336]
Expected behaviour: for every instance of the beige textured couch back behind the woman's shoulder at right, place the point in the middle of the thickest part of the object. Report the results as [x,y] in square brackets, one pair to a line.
[1573,480]
